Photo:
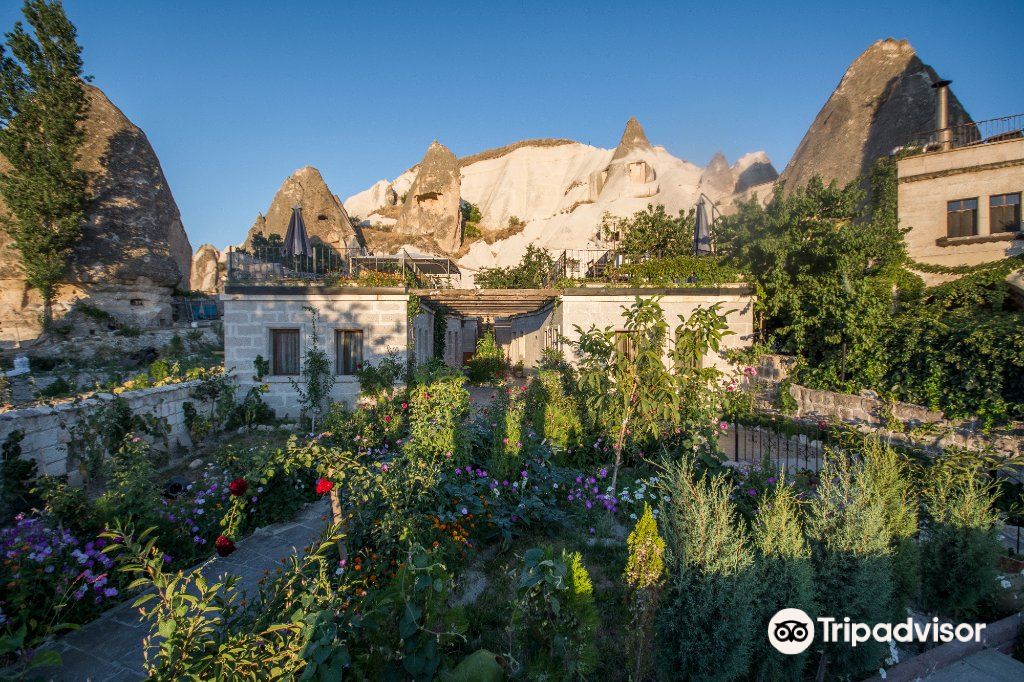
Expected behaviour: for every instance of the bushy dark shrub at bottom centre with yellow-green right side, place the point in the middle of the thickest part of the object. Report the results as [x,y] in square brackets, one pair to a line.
[557,619]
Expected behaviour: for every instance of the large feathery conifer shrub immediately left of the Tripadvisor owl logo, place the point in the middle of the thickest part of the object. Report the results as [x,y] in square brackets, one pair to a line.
[705,626]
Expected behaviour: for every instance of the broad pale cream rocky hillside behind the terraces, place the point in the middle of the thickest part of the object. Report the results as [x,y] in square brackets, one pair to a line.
[559,191]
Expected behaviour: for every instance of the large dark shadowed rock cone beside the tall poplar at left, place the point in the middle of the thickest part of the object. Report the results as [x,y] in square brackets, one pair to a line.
[134,250]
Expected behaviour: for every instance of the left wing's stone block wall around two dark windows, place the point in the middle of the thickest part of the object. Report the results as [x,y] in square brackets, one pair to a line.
[251,314]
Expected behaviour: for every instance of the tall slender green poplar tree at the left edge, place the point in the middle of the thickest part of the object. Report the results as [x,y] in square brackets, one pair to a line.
[42,105]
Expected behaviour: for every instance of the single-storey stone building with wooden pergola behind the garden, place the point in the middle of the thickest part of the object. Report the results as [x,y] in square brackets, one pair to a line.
[364,325]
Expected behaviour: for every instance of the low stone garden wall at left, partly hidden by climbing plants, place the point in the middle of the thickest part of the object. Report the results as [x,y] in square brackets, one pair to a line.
[48,429]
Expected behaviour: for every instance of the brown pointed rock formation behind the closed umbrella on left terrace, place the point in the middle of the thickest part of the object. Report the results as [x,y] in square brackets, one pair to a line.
[325,217]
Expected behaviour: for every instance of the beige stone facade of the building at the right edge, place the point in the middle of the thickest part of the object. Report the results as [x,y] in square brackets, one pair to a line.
[929,182]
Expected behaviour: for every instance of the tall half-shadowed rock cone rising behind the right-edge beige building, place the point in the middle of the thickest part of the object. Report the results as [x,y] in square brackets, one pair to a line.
[883,100]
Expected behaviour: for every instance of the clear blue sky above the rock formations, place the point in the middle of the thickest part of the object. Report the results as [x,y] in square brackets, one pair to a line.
[236,96]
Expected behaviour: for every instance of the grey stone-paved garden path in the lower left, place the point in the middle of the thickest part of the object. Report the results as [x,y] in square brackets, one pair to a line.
[111,648]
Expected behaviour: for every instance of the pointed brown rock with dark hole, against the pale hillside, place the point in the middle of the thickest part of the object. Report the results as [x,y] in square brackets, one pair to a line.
[432,209]
